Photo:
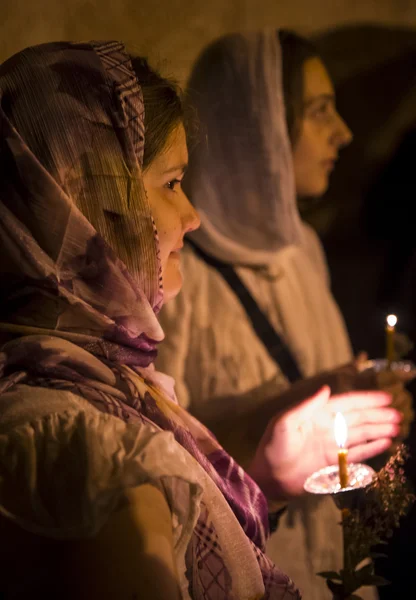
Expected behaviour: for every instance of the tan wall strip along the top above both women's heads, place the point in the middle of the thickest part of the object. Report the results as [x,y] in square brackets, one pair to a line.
[173,31]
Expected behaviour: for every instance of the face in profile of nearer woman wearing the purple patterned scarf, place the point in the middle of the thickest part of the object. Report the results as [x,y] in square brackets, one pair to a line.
[174,215]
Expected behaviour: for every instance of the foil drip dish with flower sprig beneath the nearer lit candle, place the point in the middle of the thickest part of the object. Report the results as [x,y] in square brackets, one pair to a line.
[371,506]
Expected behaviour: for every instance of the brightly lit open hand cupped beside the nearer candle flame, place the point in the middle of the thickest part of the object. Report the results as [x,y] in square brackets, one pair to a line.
[300,440]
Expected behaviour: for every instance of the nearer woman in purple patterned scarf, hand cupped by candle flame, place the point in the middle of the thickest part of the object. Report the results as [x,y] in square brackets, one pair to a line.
[108,488]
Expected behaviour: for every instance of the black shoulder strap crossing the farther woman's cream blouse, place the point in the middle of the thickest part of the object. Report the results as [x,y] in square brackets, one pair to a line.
[274,344]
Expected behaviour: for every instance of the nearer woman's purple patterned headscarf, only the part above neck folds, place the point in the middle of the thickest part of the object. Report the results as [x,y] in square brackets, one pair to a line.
[72,141]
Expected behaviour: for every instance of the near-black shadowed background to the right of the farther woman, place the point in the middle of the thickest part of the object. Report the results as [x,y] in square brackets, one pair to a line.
[367,218]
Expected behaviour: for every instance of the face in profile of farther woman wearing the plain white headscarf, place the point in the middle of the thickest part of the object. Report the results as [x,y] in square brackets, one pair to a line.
[322,132]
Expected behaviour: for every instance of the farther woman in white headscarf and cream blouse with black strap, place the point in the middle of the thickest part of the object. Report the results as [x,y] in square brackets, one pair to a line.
[256,312]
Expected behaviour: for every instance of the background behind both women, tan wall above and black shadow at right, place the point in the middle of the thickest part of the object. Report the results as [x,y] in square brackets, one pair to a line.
[366,220]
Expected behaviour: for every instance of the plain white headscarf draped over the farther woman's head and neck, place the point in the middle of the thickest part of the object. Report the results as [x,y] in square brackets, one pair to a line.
[241,177]
